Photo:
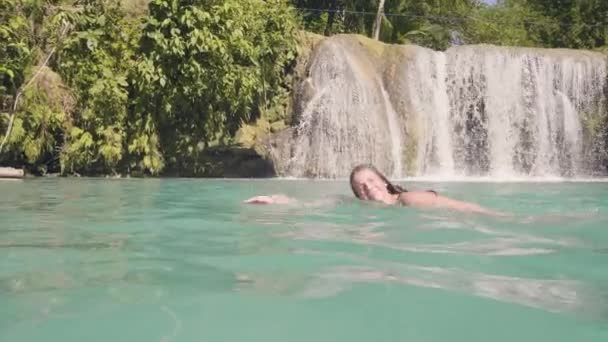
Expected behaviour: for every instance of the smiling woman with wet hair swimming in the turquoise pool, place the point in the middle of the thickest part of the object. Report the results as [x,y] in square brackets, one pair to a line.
[369,184]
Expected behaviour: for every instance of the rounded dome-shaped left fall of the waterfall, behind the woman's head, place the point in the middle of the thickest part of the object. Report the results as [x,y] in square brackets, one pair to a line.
[348,119]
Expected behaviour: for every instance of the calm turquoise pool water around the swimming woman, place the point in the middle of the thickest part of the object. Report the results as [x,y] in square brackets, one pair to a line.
[185,260]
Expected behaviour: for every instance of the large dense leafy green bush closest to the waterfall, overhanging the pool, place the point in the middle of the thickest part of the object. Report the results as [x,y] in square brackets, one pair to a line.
[207,66]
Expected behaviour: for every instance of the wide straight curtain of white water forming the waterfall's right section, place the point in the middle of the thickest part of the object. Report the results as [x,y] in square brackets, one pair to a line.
[517,112]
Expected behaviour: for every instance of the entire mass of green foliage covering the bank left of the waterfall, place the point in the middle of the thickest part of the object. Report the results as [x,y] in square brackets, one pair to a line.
[151,83]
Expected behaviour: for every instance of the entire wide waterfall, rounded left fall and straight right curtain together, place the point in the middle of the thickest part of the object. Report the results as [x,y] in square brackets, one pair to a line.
[469,111]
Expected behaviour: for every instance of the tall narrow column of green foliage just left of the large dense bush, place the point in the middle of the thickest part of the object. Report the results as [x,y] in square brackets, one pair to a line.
[94,61]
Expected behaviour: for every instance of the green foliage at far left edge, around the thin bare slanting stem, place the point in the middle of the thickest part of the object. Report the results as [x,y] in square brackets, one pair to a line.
[37,118]
